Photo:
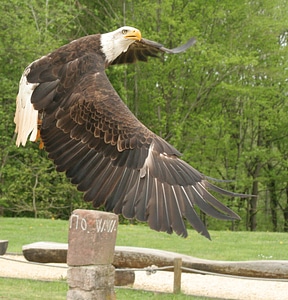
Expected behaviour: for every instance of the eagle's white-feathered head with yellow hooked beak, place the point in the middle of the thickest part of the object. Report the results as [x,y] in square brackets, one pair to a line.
[115,42]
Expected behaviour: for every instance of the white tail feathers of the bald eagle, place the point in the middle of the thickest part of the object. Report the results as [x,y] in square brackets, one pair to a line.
[26,117]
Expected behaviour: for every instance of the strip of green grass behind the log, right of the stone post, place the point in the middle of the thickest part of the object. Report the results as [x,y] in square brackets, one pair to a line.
[225,245]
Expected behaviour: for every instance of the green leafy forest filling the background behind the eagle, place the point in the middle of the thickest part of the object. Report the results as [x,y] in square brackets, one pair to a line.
[223,103]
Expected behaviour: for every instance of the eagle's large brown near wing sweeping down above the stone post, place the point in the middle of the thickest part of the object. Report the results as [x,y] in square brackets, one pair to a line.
[111,156]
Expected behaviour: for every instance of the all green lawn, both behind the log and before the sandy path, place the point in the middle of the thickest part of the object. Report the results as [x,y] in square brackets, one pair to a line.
[225,245]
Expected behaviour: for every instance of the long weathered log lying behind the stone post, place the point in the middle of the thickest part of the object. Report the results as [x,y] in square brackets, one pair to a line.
[133,257]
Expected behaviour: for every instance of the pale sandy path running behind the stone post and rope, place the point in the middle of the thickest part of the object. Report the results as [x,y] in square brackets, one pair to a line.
[192,284]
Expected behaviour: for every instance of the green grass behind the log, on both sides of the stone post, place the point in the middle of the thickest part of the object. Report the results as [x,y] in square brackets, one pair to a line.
[225,245]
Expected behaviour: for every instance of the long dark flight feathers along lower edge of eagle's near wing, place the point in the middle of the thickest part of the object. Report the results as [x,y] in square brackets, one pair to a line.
[163,192]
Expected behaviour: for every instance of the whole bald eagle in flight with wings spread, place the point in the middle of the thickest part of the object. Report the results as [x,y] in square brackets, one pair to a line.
[92,136]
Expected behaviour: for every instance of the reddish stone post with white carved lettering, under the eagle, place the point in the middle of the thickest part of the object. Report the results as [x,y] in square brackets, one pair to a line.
[92,237]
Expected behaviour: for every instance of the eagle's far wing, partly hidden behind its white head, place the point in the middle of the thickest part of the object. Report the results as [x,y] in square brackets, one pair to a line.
[141,50]
